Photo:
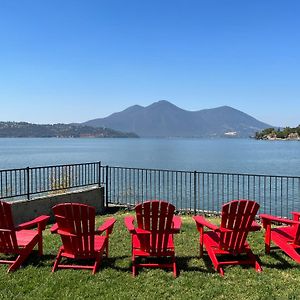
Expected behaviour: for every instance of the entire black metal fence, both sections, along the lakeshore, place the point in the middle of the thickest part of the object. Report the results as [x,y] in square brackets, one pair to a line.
[190,191]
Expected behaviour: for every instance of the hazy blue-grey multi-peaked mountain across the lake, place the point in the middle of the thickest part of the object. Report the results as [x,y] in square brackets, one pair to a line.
[164,119]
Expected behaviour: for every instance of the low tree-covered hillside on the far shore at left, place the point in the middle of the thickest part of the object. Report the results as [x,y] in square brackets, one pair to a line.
[23,129]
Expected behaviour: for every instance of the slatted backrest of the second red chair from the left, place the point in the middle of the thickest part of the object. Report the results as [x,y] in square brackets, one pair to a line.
[78,220]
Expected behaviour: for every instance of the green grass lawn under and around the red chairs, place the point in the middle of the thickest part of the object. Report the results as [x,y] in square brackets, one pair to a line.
[280,278]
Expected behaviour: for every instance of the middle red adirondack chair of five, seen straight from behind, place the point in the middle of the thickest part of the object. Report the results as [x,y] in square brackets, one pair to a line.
[153,236]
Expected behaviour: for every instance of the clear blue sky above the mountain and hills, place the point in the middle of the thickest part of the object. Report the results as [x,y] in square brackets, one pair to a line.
[72,61]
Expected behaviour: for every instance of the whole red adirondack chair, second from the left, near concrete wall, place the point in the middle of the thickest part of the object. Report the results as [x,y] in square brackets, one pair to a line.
[75,223]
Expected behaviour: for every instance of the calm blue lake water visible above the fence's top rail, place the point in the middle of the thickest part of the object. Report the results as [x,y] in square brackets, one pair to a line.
[214,155]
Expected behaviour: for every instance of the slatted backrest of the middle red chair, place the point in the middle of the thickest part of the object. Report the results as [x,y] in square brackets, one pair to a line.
[155,216]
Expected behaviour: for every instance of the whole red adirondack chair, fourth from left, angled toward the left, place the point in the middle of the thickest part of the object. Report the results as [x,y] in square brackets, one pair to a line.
[237,219]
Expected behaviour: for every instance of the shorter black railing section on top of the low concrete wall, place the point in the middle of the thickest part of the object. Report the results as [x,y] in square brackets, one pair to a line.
[15,183]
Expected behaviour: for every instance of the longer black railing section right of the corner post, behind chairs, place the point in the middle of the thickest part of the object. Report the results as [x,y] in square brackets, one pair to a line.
[195,191]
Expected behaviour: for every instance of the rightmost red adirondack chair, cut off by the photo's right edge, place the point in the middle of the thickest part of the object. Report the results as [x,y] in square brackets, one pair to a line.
[286,237]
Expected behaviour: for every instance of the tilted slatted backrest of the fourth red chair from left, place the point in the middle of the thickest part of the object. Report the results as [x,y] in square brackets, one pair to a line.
[237,216]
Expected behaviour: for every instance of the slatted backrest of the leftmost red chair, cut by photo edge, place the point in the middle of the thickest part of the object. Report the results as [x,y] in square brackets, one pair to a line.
[8,240]
